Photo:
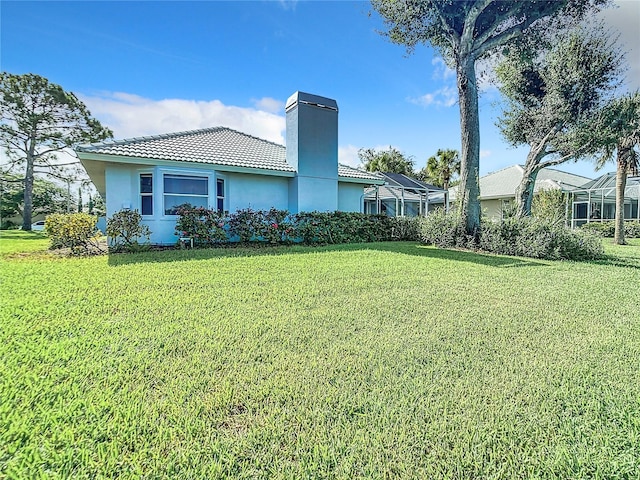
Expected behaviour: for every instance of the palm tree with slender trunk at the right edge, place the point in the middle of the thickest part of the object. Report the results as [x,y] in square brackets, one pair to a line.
[621,127]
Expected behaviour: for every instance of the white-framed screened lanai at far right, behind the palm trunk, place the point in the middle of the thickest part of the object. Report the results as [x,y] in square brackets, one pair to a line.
[595,201]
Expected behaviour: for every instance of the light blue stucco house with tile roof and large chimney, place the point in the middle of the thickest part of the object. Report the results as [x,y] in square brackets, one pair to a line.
[228,170]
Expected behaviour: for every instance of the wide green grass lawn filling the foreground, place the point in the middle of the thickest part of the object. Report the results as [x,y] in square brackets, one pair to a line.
[387,360]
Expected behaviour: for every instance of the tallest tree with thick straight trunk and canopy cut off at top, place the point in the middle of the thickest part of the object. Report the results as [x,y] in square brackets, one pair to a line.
[465,31]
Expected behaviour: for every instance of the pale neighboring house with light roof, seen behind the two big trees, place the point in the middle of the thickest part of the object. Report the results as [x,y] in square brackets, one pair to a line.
[498,189]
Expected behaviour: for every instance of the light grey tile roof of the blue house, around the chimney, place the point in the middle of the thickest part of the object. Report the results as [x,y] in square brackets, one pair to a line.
[215,146]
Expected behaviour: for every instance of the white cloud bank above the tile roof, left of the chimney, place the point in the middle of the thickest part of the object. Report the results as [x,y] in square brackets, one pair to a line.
[131,115]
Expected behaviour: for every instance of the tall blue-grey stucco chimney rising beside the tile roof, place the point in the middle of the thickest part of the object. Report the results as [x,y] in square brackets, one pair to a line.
[312,149]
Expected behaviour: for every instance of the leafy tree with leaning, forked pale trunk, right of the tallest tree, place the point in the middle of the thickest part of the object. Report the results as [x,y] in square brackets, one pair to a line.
[553,98]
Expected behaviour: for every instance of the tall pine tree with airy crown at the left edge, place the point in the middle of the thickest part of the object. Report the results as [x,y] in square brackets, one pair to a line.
[40,119]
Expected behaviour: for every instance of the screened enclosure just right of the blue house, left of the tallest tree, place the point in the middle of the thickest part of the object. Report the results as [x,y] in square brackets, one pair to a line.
[402,196]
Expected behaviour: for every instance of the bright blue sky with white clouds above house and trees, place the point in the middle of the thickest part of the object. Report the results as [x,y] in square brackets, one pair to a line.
[156,67]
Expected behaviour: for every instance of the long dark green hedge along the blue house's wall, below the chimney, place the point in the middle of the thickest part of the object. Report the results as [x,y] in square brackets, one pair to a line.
[208,227]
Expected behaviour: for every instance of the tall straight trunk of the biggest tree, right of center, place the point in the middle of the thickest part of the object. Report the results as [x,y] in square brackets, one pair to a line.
[469,188]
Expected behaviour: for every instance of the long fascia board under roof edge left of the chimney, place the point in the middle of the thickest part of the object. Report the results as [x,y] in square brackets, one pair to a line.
[173,163]
